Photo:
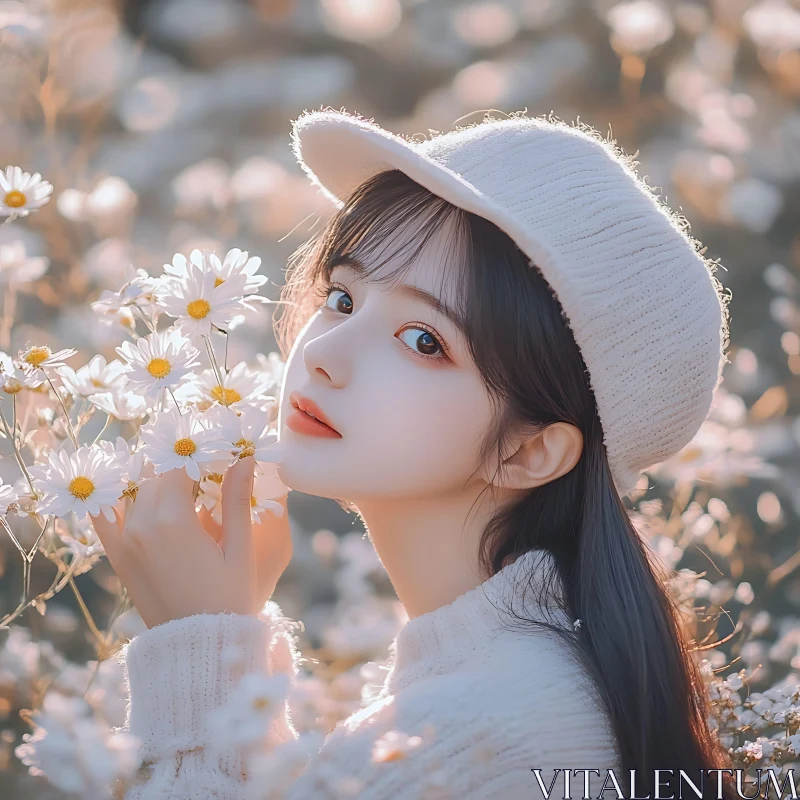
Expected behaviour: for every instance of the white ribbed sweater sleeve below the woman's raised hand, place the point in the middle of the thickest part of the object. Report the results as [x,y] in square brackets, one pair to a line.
[178,674]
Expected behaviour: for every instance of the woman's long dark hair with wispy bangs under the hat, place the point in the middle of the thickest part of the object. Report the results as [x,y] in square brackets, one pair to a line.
[631,638]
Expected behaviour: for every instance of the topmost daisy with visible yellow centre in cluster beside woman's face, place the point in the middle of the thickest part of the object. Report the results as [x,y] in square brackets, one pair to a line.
[197,303]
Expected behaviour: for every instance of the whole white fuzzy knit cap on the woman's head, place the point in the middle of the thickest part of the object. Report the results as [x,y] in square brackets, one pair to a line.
[643,304]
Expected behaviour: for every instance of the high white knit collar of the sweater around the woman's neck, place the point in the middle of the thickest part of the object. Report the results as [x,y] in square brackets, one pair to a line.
[440,640]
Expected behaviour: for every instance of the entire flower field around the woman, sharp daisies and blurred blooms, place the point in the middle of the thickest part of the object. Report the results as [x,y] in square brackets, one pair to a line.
[149,206]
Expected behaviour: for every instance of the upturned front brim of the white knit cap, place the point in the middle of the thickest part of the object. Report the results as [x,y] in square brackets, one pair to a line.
[339,151]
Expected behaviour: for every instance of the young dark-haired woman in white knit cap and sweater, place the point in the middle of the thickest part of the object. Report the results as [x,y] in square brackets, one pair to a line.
[499,329]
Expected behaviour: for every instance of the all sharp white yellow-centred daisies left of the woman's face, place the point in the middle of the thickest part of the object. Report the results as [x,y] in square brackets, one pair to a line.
[169,401]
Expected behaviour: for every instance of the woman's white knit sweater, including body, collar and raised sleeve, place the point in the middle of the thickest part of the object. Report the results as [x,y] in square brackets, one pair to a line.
[491,705]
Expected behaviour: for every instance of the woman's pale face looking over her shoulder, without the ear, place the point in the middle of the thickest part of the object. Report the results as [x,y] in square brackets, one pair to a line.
[393,376]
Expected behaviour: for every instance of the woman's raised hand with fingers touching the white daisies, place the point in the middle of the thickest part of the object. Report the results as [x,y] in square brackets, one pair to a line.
[174,566]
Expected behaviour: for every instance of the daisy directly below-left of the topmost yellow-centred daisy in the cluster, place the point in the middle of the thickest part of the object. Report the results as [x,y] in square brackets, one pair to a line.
[158,360]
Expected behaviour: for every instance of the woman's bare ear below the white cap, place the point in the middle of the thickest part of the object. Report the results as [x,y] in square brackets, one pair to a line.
[541,457]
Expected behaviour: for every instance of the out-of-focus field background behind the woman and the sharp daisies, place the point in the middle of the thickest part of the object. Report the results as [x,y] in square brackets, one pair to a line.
[164,126]
